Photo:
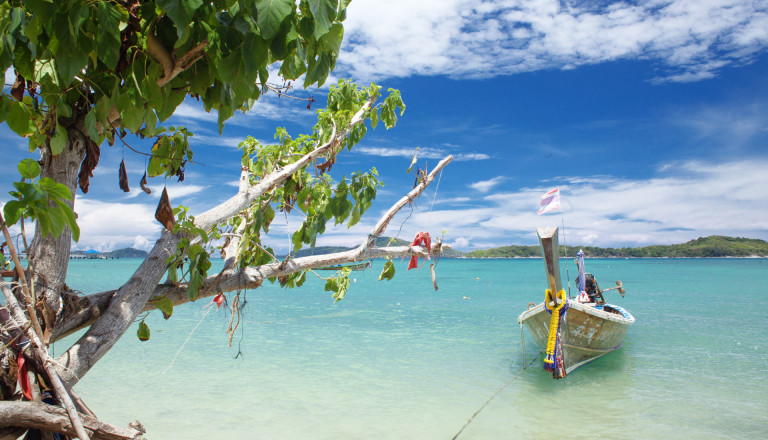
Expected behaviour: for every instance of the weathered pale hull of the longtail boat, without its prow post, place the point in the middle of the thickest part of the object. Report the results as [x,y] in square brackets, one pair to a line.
[589,331]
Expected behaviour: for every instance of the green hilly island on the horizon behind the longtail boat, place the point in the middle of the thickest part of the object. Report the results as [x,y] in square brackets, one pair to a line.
[707,247]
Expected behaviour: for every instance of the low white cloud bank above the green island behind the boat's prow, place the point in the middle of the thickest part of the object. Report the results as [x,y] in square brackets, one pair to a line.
[687,200]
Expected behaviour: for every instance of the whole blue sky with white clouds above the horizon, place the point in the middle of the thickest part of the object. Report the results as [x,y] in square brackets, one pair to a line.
[650,117]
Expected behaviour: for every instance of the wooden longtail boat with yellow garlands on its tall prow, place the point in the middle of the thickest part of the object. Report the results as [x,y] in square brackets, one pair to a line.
[584,331]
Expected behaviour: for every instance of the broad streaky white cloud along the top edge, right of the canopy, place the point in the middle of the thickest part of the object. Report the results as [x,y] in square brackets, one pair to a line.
[476,38]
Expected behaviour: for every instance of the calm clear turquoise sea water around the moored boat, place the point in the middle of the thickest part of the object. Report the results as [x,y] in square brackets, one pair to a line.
[398,360]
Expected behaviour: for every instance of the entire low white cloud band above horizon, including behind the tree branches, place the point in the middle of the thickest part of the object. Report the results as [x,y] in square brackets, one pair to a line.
[684,201]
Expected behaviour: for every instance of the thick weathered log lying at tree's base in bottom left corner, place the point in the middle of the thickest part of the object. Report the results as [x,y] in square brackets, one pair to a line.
[33,415]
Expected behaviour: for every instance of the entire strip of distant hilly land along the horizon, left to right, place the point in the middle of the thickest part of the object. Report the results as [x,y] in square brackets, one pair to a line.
[715,246]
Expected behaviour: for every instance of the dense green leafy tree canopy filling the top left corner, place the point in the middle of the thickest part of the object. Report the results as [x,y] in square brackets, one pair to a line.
[133,62]
